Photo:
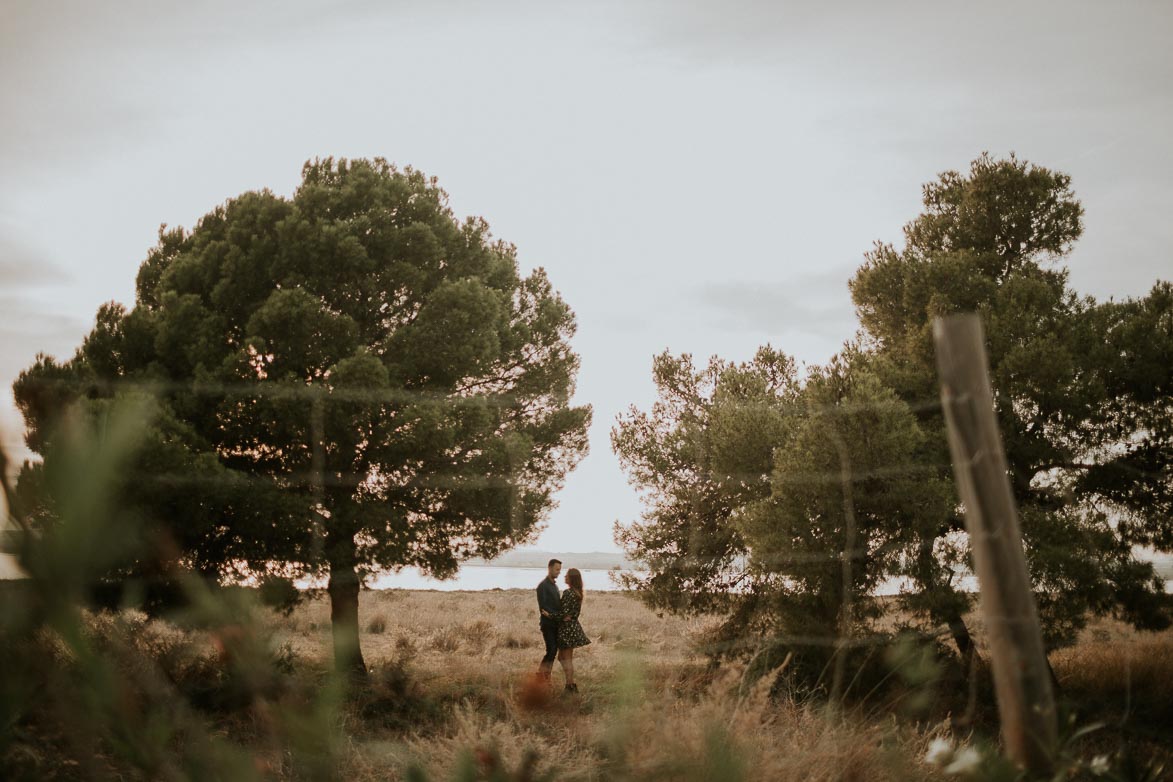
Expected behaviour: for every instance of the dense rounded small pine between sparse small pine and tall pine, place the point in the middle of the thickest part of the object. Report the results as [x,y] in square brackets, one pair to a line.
[847,507]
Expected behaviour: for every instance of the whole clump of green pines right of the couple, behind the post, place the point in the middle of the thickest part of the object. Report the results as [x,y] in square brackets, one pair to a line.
[782,502]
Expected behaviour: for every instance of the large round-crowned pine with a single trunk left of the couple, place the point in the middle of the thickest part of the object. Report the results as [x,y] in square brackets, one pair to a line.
[348,380]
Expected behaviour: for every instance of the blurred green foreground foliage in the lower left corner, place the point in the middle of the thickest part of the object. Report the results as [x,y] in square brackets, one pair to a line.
[97,696]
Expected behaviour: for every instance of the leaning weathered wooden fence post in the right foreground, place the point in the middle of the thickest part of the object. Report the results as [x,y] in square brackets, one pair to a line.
[1022,679]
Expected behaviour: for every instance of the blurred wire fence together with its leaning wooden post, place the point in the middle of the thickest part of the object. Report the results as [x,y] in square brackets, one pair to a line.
[850,552]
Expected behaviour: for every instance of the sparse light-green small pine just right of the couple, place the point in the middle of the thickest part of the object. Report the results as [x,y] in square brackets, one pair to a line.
[694,553]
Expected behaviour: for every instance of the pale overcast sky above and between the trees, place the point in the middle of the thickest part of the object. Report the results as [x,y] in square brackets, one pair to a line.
[696,176]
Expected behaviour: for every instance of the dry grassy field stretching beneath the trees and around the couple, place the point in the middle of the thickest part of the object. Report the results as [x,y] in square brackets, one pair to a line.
[452,698]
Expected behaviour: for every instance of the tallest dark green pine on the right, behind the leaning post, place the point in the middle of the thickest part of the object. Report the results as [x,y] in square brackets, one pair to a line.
[1082,389]
